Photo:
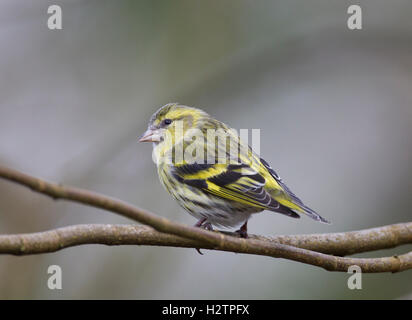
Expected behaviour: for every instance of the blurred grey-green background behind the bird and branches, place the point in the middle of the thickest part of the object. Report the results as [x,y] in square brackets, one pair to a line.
[334,107]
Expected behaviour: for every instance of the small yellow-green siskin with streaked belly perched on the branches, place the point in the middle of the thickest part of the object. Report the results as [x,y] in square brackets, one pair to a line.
[217,183]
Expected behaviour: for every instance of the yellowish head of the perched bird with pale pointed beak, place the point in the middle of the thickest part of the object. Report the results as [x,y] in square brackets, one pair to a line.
[171,122]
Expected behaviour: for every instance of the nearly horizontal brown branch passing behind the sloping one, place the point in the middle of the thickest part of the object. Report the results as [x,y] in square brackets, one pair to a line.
[330,243]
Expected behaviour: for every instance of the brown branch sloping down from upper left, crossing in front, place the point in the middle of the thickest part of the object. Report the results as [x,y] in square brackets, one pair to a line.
[213,240]
